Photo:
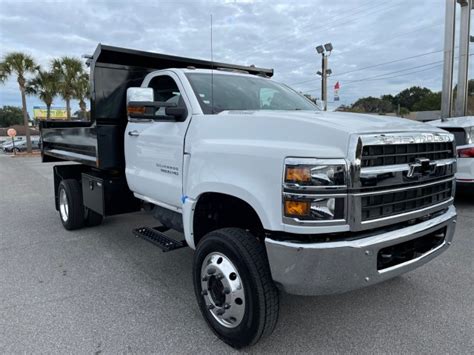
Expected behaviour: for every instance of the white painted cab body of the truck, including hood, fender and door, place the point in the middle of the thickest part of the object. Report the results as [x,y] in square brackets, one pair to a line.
[239,153]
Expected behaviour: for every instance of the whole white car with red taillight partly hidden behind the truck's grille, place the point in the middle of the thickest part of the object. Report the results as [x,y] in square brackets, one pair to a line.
[463,130]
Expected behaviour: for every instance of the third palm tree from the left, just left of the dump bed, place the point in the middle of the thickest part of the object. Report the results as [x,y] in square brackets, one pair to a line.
[69,70]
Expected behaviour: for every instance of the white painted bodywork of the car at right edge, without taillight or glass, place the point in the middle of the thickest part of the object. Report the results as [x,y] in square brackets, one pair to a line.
[465,166]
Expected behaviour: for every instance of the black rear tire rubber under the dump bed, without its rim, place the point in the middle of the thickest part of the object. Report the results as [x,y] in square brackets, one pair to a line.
[74,219]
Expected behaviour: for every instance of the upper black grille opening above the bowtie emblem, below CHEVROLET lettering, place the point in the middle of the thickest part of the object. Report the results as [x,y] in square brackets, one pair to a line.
[382,155]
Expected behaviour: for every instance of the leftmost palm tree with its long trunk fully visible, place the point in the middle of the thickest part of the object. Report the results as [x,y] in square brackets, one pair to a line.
[19,64]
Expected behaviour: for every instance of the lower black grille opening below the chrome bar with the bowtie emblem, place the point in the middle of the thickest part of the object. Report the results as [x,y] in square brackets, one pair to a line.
[392,203]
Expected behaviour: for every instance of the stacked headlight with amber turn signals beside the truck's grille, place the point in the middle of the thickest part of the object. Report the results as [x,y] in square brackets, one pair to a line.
[315,190]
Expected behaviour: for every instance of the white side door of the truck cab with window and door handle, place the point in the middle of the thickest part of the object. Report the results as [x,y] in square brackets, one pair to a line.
[154,148]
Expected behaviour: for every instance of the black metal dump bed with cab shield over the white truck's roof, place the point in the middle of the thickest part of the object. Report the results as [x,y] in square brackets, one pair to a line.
[99,142]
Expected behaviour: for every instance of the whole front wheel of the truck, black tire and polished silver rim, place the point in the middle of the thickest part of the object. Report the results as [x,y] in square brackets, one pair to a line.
[234,288]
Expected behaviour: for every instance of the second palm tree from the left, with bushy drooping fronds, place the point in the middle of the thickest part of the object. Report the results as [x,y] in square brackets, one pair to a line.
[45,86]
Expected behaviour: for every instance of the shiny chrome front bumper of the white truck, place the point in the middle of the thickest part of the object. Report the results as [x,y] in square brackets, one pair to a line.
[336,267]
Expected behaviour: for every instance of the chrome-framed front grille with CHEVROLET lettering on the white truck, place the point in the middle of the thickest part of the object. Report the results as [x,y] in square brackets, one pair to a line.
[396,192]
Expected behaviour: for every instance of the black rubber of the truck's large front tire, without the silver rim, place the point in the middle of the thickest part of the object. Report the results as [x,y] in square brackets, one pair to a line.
[261,296]
